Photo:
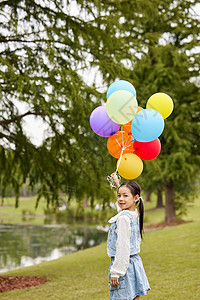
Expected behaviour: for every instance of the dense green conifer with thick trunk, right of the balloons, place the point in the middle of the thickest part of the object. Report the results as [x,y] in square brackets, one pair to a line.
[170,64]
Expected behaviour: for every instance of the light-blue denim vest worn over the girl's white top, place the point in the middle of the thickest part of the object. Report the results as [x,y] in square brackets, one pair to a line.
[135,238]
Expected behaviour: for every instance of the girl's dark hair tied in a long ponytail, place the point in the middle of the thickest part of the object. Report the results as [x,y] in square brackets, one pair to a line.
[135,189]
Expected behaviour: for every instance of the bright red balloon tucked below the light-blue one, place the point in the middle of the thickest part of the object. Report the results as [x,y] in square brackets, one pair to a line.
[147,151]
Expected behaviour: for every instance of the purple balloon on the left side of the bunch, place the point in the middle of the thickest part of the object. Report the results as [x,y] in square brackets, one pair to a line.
[101,124]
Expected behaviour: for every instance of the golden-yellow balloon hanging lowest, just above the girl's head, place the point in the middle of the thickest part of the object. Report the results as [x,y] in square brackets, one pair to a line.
[130,166]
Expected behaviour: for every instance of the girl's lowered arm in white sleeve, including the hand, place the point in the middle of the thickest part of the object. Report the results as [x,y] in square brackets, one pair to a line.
[121,261]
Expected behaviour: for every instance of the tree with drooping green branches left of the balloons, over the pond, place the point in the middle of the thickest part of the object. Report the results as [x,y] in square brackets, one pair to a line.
[45,50]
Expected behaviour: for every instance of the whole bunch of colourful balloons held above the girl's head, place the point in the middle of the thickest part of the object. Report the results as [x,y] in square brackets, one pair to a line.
[131,130]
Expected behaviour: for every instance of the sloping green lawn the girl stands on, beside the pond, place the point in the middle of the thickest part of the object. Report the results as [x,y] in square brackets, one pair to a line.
[170,257]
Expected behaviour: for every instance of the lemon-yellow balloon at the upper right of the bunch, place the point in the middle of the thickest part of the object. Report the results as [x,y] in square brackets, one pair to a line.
[161,102]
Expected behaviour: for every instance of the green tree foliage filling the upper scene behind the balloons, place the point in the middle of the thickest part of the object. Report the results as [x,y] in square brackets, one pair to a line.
[47,54]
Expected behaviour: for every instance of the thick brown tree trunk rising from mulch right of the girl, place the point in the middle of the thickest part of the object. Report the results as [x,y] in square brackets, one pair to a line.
[170,213]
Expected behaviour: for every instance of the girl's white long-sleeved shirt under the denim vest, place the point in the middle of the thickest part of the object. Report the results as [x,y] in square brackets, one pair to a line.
[123,230]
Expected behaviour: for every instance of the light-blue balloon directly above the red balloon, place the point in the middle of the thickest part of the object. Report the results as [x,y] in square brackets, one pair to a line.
[147,125]
